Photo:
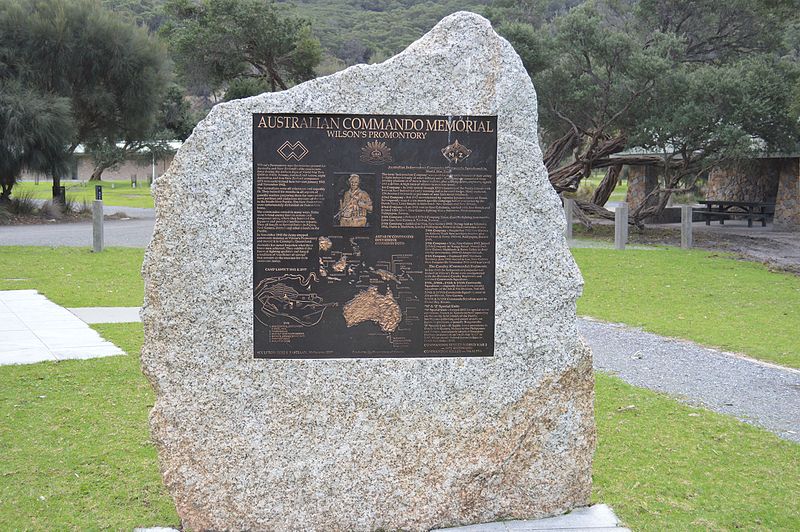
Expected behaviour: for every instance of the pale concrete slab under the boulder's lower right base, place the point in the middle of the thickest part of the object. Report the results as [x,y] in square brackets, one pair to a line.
[593,518]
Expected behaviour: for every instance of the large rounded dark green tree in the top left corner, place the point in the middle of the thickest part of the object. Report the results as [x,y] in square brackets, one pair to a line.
[112,72]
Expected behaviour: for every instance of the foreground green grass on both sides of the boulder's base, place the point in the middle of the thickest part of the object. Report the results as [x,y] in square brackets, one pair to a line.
[76,454]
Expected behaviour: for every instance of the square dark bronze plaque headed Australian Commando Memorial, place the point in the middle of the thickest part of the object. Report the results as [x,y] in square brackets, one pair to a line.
[373,235]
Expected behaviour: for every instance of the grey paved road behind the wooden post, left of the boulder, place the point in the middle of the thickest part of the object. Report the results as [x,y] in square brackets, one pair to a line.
[134,232]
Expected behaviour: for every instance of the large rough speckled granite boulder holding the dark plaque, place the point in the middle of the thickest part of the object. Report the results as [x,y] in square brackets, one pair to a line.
[408,442]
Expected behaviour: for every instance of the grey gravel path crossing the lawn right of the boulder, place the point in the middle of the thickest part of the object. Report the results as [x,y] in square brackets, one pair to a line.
[758,393]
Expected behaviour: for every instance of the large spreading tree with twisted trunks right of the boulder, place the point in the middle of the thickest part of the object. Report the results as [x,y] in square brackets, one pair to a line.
[689,83]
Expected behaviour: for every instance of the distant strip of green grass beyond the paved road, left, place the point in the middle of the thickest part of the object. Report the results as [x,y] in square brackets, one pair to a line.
[121,195]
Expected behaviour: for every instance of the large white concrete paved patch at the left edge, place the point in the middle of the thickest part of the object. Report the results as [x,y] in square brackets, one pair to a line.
[35,329]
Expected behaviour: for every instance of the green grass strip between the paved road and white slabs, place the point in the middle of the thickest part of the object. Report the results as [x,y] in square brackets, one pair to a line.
[75,277]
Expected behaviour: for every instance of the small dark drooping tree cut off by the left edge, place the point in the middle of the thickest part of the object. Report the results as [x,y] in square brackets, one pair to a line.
[34,129]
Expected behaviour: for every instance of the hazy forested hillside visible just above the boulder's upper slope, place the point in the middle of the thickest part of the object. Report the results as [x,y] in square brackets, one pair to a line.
[357,31]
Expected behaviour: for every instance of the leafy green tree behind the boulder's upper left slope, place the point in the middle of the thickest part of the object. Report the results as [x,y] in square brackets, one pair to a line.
[219,42]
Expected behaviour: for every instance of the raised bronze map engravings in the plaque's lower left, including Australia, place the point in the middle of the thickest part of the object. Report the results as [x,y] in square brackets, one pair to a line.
[357,282]
